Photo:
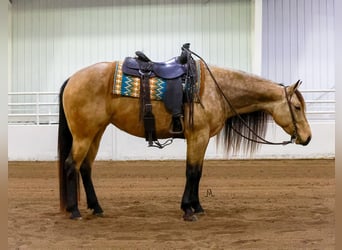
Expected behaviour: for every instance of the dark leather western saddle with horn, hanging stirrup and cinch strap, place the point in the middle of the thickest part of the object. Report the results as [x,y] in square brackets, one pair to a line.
[176,71]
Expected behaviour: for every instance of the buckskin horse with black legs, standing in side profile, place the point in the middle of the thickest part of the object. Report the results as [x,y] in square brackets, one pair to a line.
[233,105]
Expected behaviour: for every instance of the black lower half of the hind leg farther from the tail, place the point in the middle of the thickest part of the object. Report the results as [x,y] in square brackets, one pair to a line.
[89,189]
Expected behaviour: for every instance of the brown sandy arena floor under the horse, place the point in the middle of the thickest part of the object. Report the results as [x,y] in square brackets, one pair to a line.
[262,204]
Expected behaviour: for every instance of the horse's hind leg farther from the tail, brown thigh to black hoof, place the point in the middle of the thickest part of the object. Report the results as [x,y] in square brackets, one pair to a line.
[86,176]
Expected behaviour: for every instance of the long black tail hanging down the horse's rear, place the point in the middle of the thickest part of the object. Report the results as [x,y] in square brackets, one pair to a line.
[64,147]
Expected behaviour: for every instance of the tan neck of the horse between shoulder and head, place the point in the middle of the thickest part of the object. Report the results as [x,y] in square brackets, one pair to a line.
[249,93]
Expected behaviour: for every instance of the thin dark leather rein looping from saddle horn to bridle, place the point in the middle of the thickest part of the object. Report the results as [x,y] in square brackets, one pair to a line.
[261,140]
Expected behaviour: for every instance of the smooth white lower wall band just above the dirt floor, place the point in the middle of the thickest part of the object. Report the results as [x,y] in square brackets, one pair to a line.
[40,143]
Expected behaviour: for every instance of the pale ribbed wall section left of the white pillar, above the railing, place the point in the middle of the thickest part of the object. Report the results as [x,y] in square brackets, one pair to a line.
[54,38]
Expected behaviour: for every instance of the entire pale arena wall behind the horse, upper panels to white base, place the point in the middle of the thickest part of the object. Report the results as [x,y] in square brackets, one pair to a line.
[280,40]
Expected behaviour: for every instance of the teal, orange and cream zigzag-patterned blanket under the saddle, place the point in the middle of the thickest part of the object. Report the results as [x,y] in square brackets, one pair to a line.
[126,85]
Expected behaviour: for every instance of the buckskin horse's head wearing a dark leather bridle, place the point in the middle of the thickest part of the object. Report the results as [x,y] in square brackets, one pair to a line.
[289,113]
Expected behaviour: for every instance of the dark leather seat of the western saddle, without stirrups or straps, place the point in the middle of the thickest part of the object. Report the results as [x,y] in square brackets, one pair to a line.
[142,64]
